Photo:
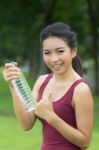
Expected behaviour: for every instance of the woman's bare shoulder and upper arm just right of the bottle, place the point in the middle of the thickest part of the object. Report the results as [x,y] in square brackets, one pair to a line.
[37,85]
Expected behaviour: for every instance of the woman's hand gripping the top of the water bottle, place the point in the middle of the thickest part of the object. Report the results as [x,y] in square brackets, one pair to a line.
[11,72]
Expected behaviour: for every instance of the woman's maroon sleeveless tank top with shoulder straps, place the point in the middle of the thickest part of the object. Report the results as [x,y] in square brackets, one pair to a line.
[51,138]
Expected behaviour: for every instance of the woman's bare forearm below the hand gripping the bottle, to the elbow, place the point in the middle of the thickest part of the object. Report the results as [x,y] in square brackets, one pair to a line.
[26,119]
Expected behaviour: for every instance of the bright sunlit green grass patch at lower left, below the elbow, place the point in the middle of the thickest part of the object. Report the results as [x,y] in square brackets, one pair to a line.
[14,138]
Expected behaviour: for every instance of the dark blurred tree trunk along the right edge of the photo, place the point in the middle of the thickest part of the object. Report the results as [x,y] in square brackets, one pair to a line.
[94,31]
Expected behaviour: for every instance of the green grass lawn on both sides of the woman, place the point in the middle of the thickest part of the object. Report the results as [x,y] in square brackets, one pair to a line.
[12,137]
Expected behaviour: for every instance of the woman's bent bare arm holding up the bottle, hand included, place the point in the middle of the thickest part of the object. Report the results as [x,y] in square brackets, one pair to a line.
[26,119]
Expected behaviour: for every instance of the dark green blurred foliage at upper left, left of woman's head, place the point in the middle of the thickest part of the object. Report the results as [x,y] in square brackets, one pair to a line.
[19,21]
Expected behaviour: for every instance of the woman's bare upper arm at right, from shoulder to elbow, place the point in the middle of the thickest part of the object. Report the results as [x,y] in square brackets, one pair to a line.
[83,107]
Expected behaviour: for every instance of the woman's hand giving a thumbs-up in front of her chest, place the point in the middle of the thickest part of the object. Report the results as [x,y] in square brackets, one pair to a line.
[44,108]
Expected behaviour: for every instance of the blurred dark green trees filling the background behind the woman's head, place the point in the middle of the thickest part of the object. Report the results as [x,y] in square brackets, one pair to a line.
[22,20]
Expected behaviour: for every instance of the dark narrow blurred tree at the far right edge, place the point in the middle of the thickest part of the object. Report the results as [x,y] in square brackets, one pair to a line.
[93,7]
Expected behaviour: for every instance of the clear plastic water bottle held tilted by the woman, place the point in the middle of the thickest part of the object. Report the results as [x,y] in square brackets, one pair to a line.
[24,92]
